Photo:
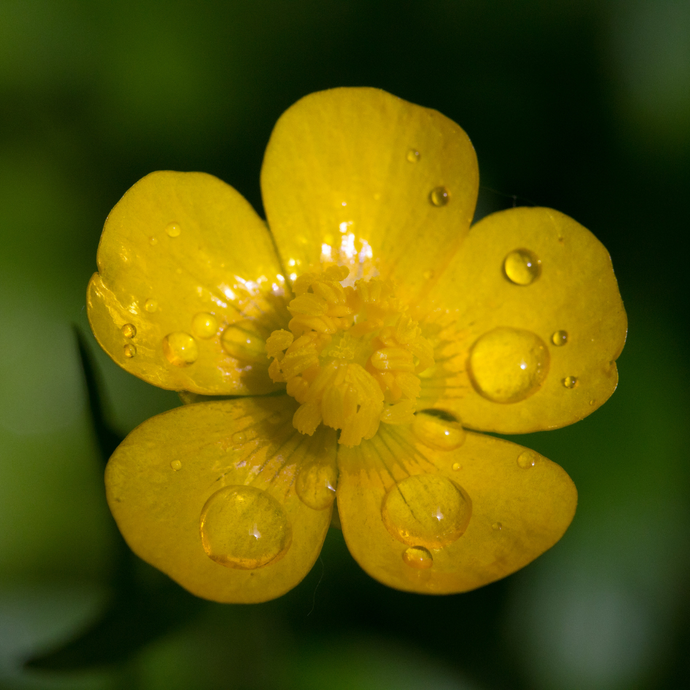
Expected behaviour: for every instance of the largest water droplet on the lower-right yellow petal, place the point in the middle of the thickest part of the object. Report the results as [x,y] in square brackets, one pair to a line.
[426,510]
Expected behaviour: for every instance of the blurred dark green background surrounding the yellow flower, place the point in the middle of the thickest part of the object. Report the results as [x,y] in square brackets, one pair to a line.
[580,105]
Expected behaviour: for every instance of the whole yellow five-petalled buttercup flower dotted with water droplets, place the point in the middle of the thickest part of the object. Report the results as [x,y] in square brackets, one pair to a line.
[357,343]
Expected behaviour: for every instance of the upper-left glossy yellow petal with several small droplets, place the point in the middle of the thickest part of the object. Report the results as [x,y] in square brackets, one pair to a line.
[189,286]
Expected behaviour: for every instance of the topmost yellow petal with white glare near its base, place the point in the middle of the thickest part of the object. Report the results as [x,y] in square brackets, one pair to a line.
[365,179]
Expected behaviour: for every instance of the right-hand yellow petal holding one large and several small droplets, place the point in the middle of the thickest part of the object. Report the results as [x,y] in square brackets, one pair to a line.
[528,326]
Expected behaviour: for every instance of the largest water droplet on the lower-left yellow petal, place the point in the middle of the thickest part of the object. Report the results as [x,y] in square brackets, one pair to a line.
[244,527]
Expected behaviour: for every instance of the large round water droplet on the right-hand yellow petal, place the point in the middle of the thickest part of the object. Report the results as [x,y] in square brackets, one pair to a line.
[507,365]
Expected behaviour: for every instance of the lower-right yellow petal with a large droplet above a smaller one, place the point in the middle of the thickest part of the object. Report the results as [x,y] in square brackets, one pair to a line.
[437,522]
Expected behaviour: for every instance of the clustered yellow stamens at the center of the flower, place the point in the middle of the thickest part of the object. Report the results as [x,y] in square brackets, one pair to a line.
[351,357]
